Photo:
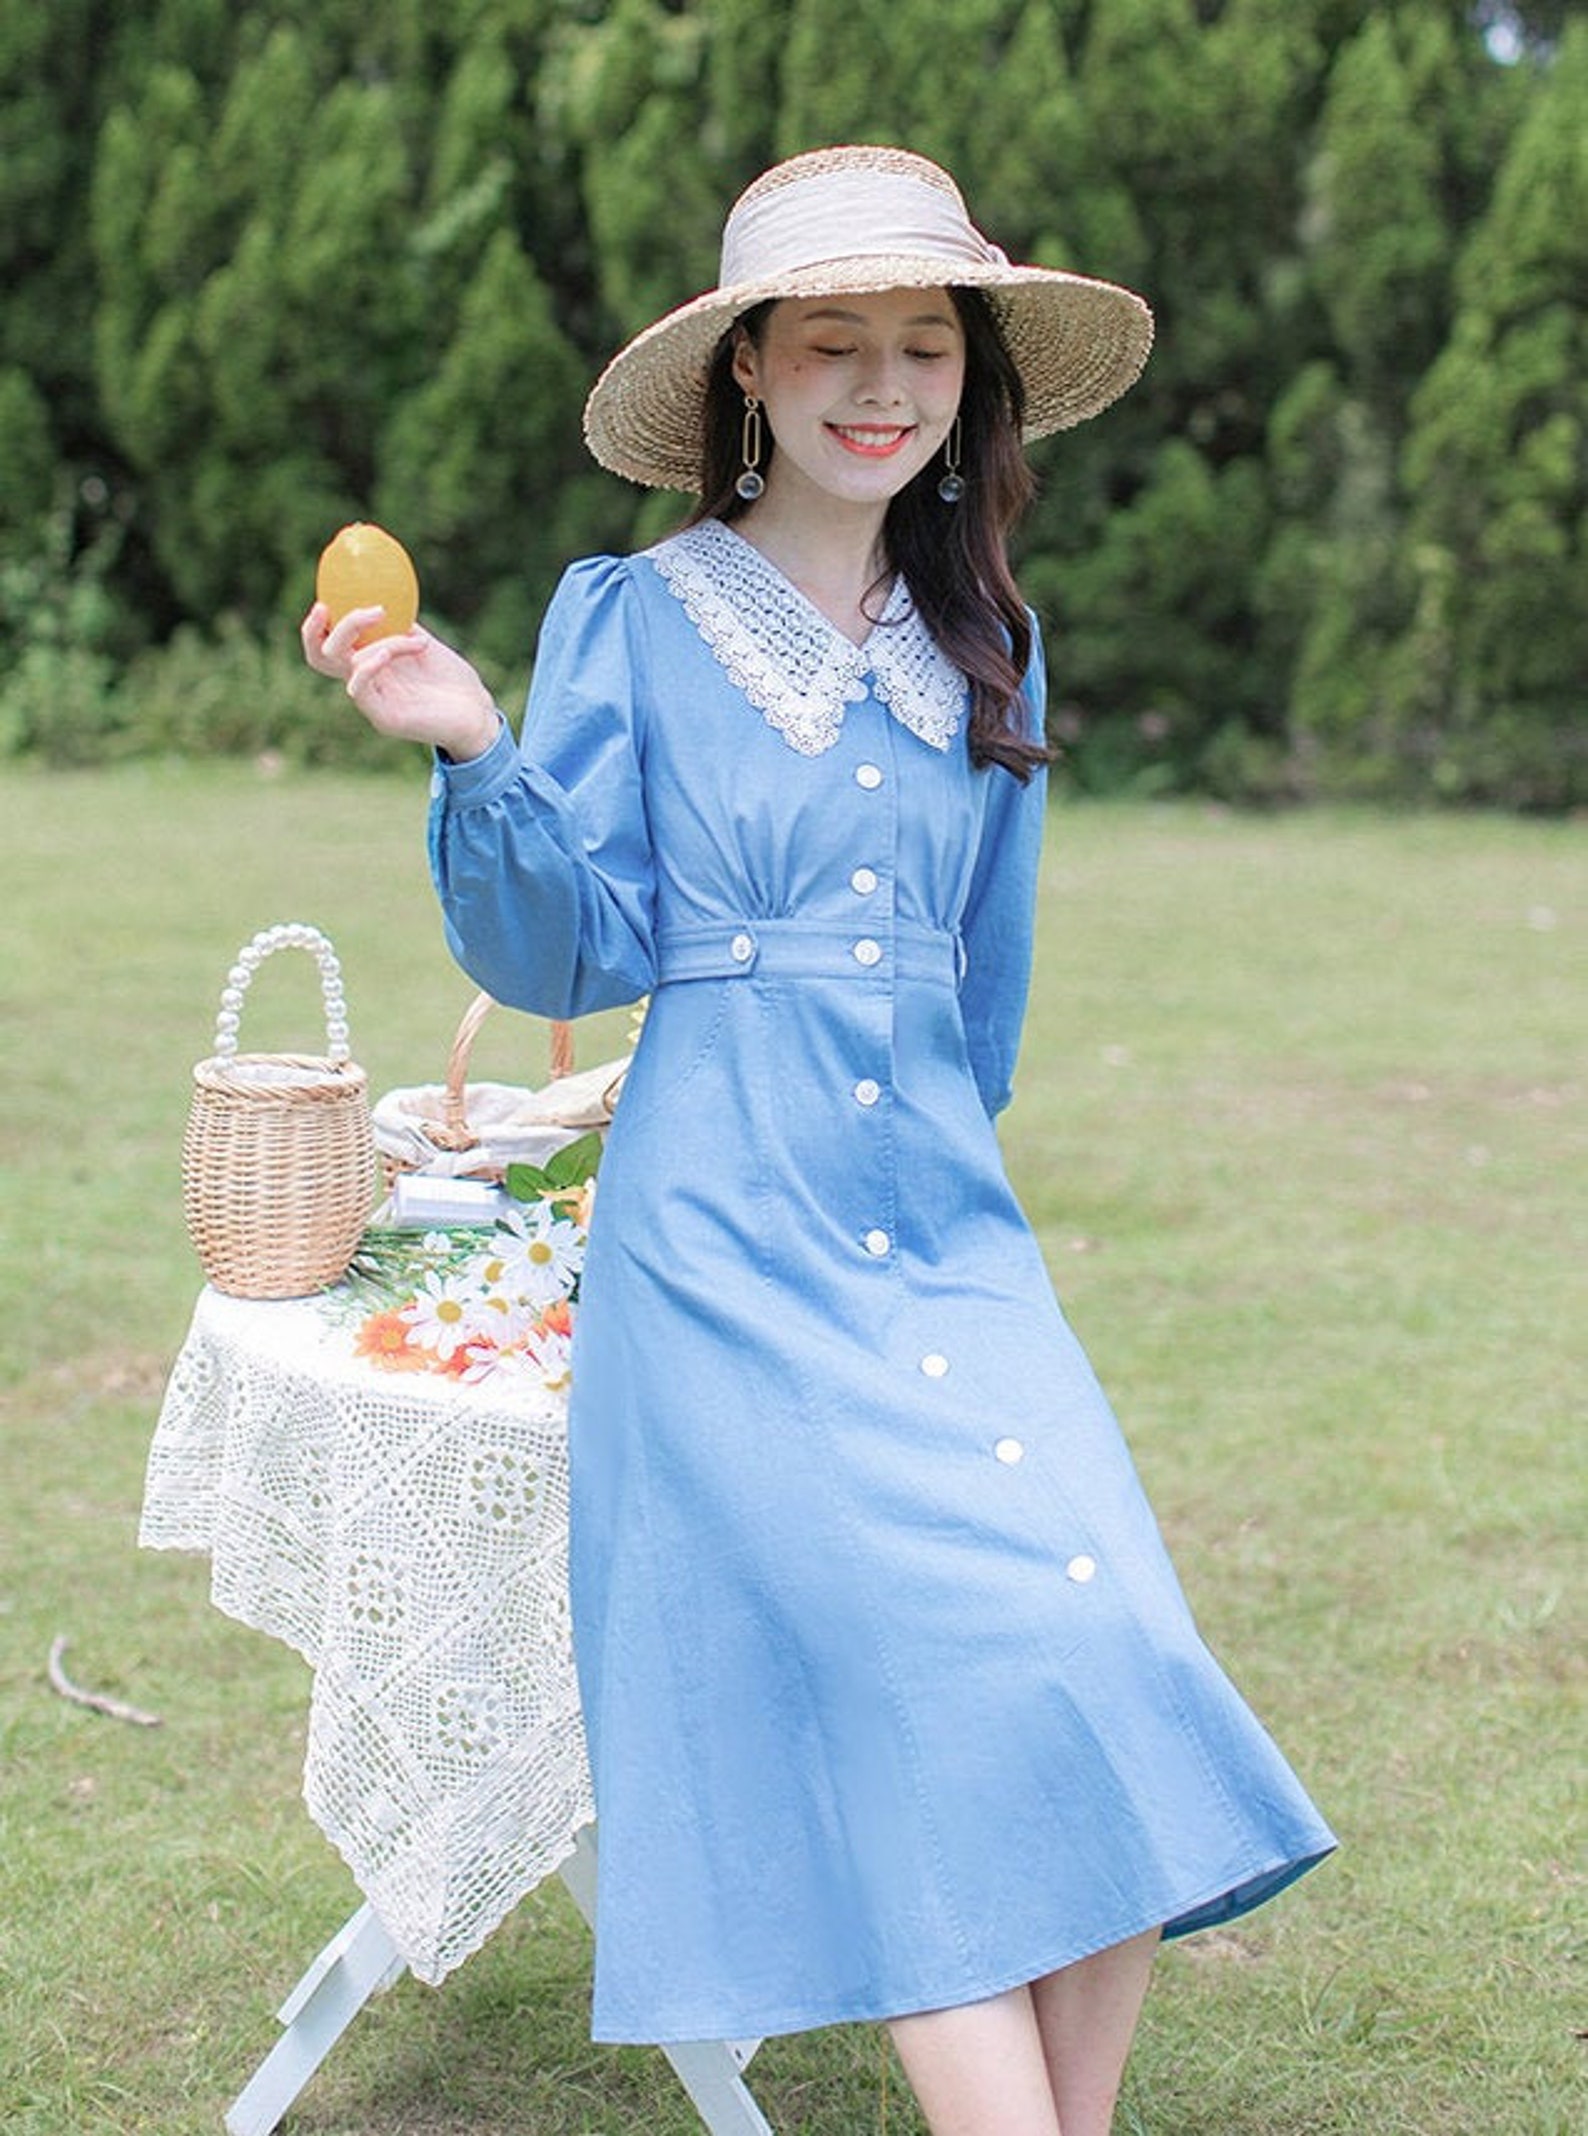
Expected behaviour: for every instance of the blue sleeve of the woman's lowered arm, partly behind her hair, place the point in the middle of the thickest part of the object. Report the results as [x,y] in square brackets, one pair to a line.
[1001,911]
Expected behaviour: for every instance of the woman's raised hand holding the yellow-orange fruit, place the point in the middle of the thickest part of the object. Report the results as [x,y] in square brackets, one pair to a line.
[411,687]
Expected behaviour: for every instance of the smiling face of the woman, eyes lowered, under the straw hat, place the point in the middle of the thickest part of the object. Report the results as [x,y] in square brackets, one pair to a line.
[858,392]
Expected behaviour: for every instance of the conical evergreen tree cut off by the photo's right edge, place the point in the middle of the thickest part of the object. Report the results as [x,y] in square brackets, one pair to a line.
[1491,667]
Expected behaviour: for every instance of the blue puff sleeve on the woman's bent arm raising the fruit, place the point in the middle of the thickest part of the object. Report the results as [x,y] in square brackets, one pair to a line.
[542,853]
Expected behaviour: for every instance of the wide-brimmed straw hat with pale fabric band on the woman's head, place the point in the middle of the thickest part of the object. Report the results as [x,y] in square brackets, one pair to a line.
[854,221]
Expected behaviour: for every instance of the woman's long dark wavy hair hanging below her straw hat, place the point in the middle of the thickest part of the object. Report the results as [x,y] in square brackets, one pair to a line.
[954,556]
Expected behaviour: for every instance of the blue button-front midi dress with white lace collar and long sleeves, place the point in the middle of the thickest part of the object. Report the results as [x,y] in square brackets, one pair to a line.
[892,1693]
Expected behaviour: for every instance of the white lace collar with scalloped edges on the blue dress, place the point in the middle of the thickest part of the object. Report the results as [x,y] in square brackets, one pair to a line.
[796,667]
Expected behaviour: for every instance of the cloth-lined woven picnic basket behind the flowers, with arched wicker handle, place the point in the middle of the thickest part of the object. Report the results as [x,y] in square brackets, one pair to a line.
[476,1131]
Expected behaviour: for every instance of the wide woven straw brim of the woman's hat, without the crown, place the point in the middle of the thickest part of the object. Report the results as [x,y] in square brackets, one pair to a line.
[1078,345]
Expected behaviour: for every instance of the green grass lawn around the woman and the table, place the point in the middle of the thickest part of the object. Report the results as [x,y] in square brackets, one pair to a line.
[1303,1125]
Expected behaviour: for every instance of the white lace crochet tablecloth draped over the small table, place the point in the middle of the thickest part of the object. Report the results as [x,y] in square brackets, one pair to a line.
[407,1535]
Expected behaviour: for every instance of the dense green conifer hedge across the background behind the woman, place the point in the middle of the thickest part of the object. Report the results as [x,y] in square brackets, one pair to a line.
[279,266]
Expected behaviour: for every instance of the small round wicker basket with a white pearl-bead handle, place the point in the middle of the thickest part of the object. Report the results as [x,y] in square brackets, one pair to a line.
[279,1155]
